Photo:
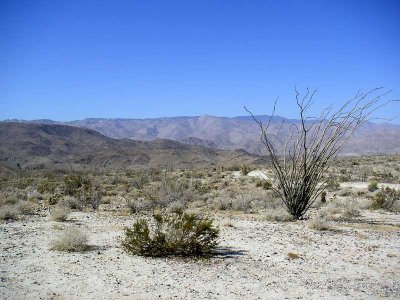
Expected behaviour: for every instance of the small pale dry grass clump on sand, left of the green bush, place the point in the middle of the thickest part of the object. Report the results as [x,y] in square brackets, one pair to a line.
[71,240]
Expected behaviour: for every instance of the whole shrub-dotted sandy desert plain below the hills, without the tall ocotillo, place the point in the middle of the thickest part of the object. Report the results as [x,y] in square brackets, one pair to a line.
[135,215]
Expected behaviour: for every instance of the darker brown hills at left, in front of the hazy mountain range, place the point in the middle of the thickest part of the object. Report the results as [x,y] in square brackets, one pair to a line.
[38,146]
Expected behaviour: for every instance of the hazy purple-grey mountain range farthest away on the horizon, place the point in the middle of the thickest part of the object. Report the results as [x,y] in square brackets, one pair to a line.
[230,133]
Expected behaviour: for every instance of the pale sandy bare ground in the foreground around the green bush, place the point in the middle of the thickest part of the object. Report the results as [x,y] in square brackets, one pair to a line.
[358,260]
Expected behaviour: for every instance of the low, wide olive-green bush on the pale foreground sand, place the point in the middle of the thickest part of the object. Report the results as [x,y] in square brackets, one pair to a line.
[177,234]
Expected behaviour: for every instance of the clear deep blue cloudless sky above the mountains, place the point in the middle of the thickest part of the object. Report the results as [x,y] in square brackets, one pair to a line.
[67,60]
